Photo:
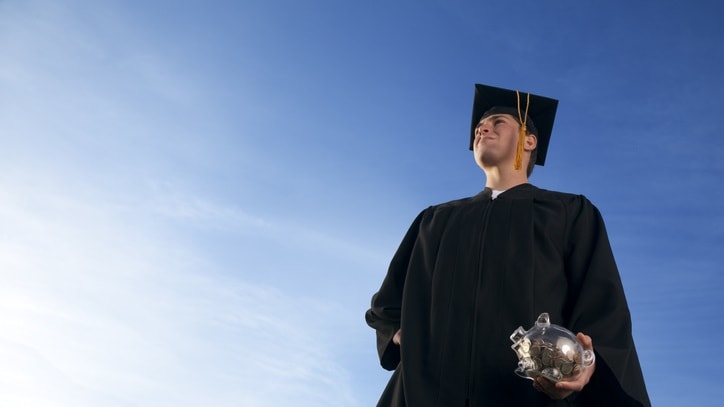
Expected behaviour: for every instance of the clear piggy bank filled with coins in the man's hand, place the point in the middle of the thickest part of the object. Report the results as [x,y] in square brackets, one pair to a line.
[550,351]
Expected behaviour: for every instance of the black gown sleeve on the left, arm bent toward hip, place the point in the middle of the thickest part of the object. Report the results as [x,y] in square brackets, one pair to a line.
[384,313]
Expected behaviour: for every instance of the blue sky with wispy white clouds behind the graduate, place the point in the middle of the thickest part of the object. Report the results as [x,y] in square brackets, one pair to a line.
[197,199]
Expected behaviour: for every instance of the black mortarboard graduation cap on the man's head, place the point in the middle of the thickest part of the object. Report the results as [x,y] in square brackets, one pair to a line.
[490,100]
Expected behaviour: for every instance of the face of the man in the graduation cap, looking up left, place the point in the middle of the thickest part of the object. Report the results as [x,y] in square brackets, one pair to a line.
[496,138]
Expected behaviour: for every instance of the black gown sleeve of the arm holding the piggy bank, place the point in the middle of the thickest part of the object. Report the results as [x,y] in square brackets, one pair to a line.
[599,309]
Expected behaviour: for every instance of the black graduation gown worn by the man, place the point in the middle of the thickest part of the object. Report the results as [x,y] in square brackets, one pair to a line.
[470,271]
